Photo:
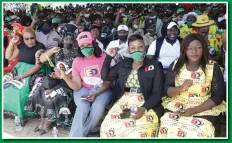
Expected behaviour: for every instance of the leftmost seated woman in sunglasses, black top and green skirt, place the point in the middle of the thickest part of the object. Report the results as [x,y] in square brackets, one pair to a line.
[25,71]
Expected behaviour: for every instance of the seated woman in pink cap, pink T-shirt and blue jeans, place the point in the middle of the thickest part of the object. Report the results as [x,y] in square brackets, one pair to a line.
[91,94]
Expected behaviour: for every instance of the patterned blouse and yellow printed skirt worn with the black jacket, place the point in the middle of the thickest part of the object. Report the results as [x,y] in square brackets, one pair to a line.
[114,126]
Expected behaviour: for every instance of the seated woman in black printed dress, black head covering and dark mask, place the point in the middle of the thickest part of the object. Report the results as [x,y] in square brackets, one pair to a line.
[50,97]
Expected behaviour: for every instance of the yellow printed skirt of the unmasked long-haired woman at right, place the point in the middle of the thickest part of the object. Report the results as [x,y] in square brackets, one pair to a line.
[174,126]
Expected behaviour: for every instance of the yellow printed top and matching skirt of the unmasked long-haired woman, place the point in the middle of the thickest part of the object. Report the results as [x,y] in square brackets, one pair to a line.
[178,126]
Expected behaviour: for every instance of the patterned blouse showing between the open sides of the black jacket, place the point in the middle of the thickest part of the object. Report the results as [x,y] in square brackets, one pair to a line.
[132,80]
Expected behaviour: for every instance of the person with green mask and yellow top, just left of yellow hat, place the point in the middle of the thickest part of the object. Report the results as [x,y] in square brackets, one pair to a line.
[187,27]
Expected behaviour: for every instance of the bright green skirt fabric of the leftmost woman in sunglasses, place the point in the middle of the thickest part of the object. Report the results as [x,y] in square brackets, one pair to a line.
[14,98]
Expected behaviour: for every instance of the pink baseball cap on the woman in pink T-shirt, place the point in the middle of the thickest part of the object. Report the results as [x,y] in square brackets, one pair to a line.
[85,38]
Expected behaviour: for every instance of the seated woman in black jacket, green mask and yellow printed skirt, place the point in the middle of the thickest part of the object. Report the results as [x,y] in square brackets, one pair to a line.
[142,82]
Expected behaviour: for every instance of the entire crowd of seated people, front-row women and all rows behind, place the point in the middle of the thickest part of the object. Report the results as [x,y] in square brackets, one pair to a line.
[162,67]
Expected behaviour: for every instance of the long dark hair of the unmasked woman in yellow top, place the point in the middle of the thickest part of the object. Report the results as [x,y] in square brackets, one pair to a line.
[184,59]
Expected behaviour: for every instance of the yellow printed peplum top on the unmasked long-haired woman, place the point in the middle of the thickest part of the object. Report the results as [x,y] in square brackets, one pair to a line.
[197,94]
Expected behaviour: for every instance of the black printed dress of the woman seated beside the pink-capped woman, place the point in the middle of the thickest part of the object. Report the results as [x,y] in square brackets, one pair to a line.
[54,103]
